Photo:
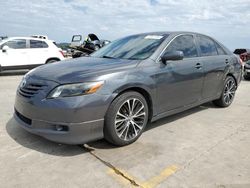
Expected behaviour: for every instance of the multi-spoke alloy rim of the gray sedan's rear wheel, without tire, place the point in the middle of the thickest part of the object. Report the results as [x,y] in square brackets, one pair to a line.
[229,91]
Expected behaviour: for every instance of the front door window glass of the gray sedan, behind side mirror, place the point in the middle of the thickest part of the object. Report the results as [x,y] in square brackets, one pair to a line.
[184,43]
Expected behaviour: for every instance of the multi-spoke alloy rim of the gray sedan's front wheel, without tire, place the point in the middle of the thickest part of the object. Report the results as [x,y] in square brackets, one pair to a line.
[130,119]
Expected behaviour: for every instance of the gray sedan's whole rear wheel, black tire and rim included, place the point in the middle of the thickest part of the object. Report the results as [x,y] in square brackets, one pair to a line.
[228,93]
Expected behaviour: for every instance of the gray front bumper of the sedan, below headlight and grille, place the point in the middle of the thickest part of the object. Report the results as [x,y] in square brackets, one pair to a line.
[80,119]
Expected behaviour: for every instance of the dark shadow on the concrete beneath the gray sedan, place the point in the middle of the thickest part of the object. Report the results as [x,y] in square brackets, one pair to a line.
[42,145]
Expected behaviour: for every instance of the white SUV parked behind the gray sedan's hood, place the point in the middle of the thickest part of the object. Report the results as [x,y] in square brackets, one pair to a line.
[27,53]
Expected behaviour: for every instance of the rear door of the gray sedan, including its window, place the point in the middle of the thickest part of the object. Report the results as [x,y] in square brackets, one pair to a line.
[214,61]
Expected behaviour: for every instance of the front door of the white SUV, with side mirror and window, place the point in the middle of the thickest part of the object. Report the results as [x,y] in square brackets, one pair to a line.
[16,55]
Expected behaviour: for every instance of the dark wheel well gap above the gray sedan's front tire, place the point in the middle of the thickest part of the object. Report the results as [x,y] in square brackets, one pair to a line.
[145,94]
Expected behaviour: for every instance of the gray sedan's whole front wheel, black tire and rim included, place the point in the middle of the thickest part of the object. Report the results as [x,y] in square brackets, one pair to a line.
[122,128]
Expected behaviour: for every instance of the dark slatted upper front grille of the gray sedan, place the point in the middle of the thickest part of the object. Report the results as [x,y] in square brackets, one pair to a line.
[30,90]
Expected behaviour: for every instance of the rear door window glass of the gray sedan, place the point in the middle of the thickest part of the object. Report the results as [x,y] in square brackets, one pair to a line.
[207,46]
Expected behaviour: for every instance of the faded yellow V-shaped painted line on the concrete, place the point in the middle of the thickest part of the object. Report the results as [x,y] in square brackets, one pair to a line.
[151,183]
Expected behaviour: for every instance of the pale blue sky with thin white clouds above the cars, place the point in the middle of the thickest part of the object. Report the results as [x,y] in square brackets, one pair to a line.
[226,20]
